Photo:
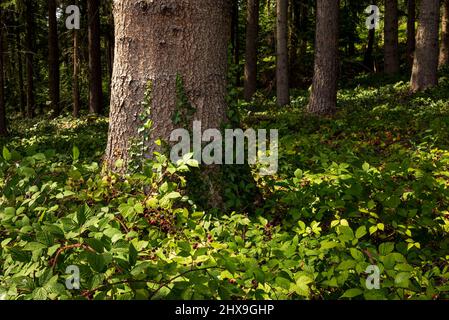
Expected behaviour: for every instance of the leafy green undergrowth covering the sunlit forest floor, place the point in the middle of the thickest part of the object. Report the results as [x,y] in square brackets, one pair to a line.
[368,186]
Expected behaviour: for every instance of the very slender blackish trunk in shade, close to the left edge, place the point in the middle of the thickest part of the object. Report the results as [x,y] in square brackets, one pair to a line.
[30,47]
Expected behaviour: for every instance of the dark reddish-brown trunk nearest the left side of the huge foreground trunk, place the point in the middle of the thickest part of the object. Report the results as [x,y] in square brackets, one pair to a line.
[95,85]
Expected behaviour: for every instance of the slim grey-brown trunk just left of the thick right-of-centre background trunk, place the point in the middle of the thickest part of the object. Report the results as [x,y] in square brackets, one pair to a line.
[282,86]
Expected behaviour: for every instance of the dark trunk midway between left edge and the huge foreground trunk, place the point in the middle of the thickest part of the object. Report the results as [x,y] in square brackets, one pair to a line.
[53,57]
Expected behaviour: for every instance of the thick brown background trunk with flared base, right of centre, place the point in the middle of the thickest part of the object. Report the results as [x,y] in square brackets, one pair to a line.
[323,98]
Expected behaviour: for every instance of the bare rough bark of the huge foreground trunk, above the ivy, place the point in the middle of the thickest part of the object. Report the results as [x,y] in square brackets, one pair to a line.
[156,41]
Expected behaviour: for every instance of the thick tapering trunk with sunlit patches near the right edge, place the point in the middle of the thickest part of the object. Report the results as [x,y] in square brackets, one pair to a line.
[425,65]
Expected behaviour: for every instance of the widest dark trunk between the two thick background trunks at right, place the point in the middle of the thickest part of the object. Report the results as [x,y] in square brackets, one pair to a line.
[391,46]
